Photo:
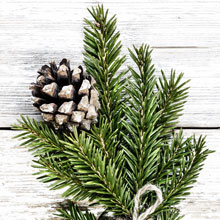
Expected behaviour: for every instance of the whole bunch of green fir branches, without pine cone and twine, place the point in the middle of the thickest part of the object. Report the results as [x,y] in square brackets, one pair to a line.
[134,141]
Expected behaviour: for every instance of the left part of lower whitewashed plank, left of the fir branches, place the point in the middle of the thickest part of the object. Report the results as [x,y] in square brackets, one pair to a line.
[21,195]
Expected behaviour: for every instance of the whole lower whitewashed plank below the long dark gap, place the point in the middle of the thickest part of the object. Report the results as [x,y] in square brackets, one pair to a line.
[22,197]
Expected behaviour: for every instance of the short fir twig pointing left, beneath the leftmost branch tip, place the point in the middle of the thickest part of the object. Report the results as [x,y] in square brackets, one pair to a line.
[57,170]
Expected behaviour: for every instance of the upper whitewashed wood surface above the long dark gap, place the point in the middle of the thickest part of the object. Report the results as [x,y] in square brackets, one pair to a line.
[185,36]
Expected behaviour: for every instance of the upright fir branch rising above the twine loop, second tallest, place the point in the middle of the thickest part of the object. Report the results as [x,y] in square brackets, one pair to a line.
[142,145]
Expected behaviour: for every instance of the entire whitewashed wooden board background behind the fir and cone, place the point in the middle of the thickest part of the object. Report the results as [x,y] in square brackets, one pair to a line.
[185,35]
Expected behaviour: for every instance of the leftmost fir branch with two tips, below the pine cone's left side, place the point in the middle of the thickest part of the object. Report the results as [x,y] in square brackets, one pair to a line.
[51,160]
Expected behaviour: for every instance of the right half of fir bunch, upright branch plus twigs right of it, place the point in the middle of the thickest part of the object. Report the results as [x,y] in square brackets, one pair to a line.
[150,116]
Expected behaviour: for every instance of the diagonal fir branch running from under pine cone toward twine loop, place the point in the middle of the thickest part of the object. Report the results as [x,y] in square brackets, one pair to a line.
[102,178]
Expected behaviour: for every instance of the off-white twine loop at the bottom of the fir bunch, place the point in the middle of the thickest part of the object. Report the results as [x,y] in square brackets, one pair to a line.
[151,209]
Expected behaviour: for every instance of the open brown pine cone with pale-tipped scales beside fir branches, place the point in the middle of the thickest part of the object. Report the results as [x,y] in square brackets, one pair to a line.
[66,97]
